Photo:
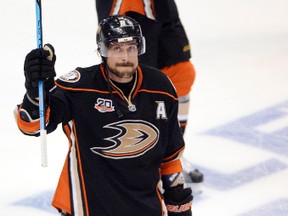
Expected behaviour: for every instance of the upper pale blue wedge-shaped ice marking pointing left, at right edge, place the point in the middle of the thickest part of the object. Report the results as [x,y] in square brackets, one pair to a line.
[266,129]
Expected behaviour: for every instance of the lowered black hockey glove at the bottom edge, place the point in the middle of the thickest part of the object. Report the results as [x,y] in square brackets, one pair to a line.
[178,201]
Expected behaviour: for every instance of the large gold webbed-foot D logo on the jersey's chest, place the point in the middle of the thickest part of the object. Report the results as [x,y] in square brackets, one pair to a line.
[135,137]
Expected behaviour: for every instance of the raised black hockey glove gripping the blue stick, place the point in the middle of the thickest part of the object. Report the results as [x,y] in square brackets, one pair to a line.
[39,65]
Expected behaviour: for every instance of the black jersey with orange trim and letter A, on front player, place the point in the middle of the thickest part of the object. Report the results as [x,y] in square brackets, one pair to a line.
[113,166]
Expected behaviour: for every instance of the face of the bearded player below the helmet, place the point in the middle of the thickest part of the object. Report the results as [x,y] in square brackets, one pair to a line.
[122,60]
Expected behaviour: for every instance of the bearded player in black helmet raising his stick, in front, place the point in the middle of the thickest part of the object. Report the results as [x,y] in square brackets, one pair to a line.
[120,118]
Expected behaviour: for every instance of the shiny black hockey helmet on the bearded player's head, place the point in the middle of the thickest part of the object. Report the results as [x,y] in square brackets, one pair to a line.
[119,28]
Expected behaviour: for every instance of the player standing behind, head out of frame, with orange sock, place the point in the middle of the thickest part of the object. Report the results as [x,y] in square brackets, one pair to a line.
[167,49]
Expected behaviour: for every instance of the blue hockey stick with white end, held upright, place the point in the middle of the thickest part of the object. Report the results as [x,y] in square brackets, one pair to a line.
[43,131]
